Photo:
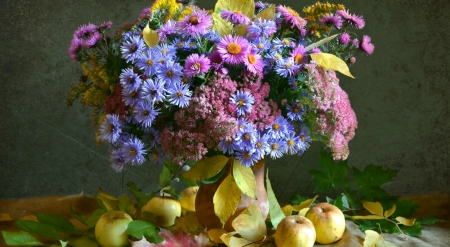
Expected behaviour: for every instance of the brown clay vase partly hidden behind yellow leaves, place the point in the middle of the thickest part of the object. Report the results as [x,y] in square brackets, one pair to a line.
[204,205]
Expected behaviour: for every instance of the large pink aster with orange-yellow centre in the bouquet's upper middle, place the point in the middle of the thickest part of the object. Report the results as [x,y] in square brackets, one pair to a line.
[233,49]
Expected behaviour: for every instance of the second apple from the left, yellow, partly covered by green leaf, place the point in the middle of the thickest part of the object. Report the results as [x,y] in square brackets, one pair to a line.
[165,210]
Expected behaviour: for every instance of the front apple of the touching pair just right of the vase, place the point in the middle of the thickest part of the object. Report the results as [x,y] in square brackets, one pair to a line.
[295,231]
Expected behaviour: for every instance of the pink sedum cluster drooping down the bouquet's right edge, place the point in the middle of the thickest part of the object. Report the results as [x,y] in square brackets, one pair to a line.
[335,114]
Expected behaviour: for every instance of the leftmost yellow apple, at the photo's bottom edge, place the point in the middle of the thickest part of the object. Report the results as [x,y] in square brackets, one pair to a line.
[110,230]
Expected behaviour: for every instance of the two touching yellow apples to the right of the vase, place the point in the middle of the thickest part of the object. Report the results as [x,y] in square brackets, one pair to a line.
[323,223]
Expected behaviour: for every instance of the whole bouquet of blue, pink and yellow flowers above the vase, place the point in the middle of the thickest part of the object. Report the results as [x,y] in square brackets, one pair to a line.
[246,79]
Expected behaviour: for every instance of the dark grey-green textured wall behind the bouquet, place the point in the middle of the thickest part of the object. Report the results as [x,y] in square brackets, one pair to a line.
[401,97]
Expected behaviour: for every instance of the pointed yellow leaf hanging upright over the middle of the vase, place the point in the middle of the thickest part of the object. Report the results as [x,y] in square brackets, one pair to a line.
[226,199]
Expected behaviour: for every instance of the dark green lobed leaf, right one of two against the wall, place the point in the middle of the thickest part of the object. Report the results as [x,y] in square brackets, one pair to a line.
[370,179]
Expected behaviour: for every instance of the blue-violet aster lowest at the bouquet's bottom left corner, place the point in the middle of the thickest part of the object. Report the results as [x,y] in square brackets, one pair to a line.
[132,151]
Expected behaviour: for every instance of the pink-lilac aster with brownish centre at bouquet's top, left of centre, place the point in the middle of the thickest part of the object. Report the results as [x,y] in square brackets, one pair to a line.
[198,23]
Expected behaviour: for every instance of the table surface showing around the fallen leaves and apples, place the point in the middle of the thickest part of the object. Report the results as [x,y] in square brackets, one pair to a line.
[436,205]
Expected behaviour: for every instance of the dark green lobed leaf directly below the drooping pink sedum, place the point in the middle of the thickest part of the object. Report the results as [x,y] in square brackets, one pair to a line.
[332,175]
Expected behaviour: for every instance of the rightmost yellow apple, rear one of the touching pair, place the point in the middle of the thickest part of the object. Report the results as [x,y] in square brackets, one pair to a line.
[329,222]
